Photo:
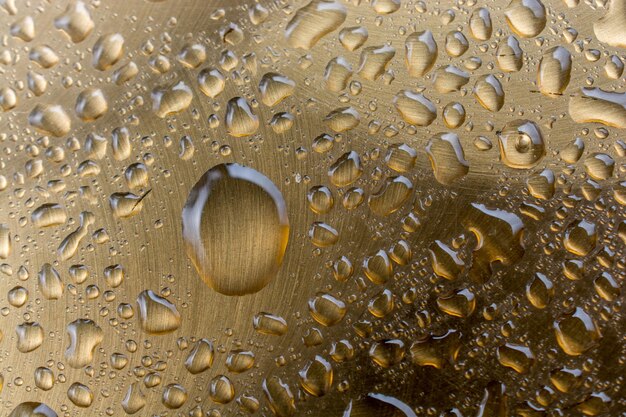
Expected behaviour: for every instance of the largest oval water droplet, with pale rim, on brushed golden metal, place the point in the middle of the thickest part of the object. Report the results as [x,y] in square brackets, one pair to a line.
[236,229]
